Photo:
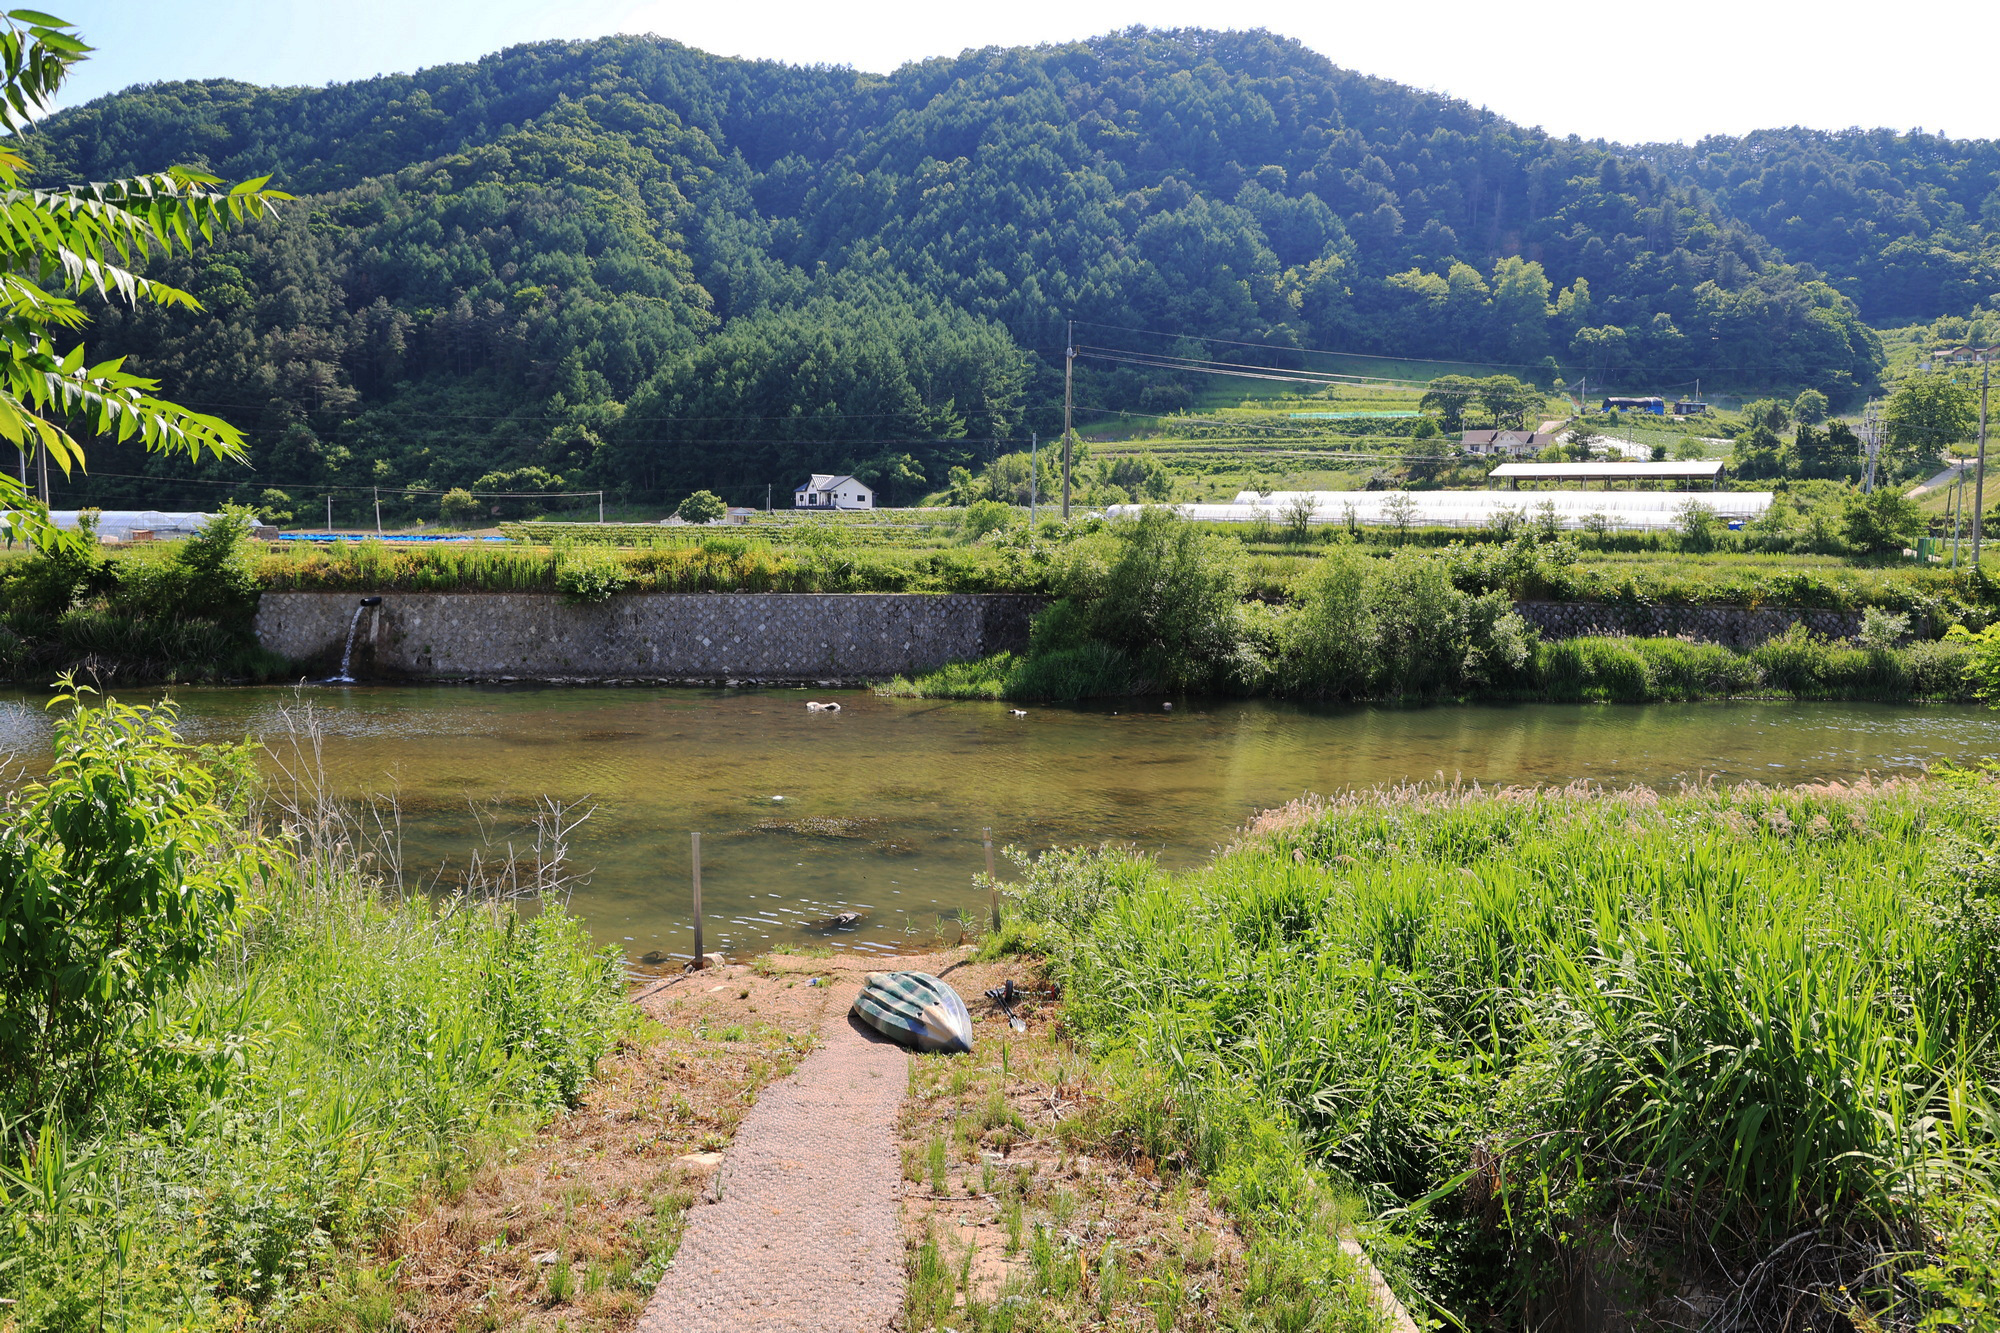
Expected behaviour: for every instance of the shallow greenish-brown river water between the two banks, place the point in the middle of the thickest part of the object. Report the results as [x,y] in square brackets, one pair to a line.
[879,808]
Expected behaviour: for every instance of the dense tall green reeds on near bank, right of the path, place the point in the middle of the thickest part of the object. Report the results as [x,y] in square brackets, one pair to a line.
[1569,1046]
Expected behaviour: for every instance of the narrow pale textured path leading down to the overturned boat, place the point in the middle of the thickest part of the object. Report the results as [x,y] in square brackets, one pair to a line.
[807,1234]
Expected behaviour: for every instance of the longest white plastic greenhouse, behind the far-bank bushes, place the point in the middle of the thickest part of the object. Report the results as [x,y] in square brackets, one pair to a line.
[1473,509]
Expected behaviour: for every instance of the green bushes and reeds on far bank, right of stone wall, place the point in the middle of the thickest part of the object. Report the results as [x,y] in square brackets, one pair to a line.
[1157,605]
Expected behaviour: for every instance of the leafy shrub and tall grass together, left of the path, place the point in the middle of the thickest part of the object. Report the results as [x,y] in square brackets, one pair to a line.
[237,1048]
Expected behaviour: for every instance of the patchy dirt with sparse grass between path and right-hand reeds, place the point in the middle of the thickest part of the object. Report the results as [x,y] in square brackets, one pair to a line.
[1027,1210]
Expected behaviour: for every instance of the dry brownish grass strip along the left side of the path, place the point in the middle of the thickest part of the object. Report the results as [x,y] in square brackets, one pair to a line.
[575,1226]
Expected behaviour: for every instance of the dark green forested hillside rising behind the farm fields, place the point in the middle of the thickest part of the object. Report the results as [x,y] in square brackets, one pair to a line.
[639,267]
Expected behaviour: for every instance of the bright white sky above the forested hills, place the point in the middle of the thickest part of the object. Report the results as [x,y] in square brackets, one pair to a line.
[1619,71]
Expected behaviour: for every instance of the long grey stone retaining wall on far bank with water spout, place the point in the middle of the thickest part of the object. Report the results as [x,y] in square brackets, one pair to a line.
[683,637]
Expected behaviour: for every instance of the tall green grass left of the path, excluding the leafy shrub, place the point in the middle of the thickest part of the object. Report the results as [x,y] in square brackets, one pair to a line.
[347,1050]
